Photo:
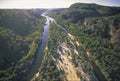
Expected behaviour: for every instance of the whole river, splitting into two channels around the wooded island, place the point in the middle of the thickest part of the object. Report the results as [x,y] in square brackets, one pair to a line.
[39,55]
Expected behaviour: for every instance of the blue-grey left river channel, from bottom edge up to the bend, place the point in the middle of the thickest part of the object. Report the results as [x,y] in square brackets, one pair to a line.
[39,54]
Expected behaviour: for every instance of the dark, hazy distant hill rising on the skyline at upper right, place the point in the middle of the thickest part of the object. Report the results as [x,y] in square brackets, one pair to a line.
[78,11]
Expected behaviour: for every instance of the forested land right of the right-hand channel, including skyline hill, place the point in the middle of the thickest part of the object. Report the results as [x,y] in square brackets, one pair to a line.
[98,30]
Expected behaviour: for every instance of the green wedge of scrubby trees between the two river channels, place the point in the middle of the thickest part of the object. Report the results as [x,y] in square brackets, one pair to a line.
[49,70]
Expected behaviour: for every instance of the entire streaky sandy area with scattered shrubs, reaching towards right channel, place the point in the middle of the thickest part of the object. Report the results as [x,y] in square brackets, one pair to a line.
[67,61]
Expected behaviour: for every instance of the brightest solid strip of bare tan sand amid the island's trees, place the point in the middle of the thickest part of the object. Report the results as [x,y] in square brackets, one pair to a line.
[65,64]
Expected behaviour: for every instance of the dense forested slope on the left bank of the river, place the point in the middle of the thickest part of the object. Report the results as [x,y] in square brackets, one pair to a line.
[20,35]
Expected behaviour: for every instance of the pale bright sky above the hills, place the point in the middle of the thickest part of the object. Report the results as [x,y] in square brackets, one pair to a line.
[51,4]
